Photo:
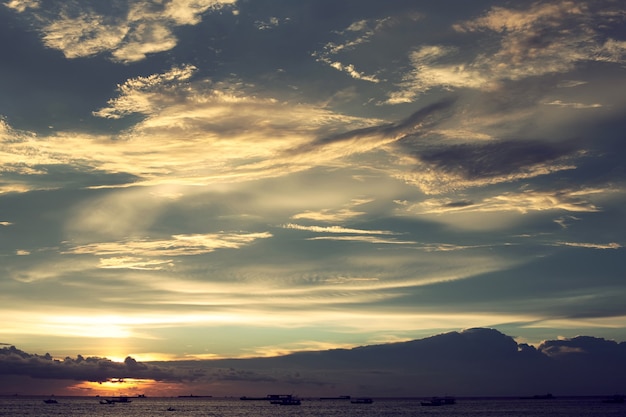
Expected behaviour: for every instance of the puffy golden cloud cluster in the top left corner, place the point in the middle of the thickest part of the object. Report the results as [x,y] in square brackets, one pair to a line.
[139,28]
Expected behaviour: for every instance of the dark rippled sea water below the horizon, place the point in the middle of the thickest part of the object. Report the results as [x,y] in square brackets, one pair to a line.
[83,407]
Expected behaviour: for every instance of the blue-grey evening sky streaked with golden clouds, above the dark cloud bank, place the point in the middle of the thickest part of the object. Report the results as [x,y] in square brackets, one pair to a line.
[246,178]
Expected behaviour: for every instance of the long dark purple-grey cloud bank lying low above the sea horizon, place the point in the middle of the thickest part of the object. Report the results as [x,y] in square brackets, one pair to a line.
[472,362]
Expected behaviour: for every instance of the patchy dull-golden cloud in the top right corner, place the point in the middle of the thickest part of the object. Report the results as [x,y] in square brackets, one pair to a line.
[545,38]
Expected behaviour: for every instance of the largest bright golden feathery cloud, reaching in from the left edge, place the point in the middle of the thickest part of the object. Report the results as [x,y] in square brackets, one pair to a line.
[197,132]
